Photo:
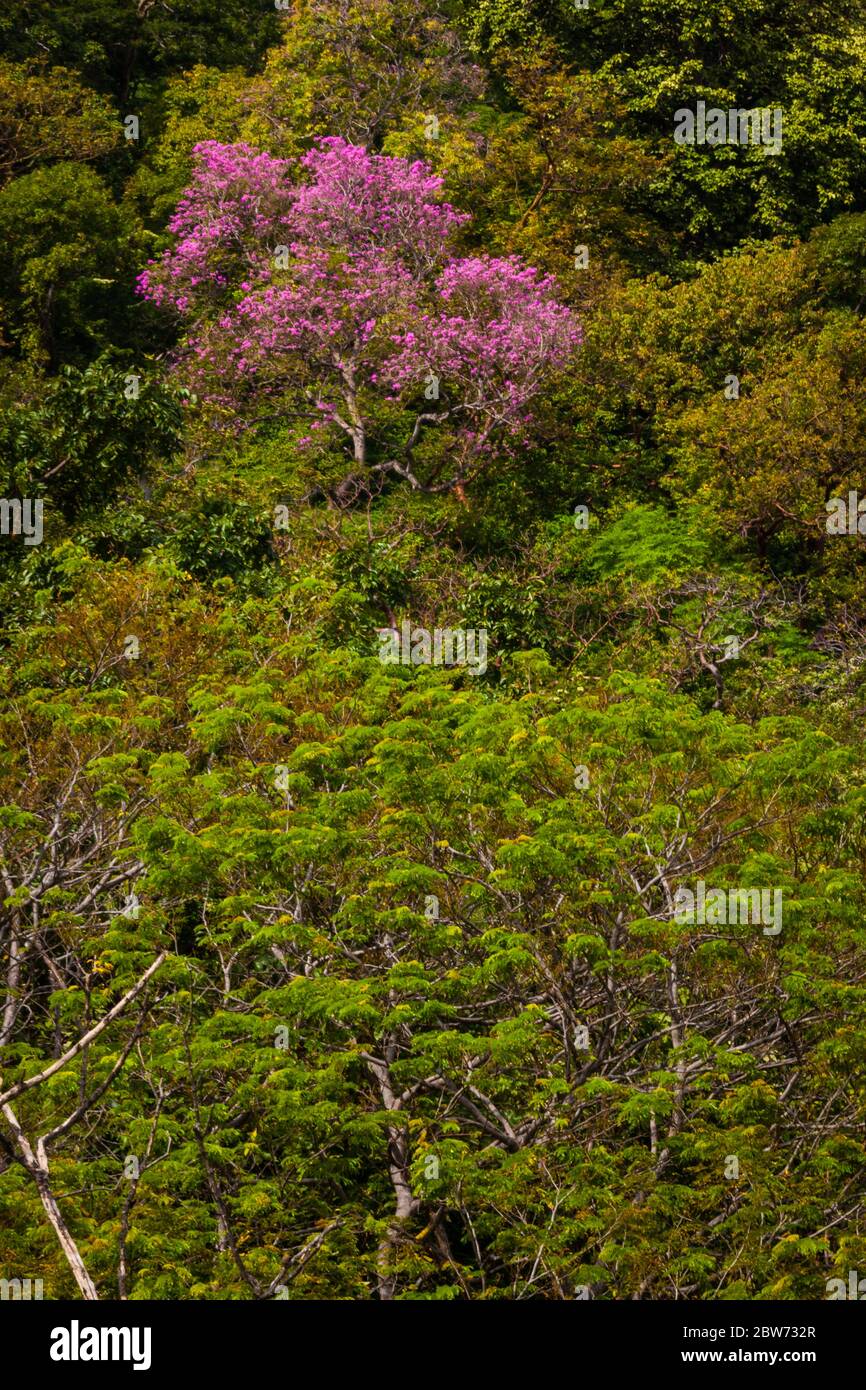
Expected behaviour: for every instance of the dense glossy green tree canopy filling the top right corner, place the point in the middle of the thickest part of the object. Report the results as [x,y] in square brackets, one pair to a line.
[664,56]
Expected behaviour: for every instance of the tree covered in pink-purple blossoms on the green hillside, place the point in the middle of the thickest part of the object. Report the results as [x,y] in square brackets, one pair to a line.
[340,300]
